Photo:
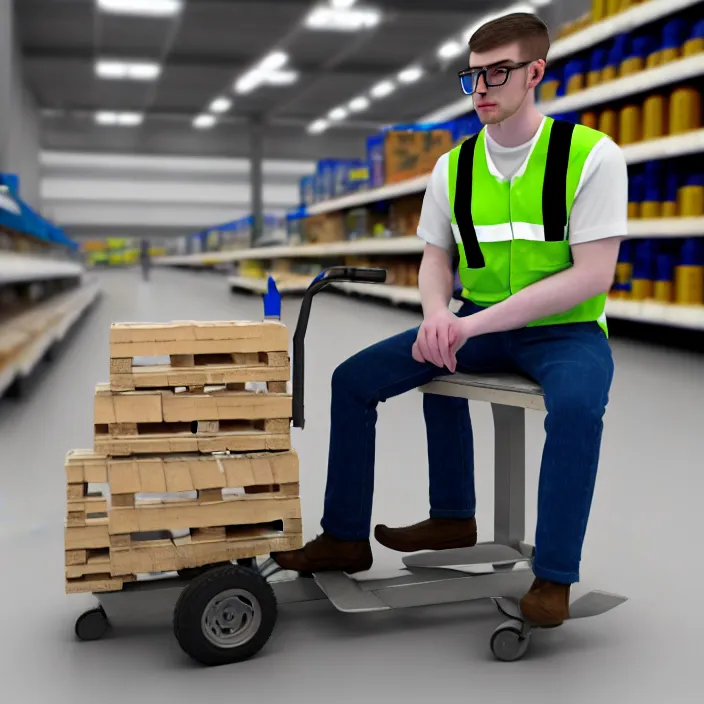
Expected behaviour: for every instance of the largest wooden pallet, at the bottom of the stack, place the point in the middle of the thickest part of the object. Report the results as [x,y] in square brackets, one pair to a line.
[246,505]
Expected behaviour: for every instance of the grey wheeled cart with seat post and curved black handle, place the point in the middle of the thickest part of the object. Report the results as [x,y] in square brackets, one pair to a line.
[226,614]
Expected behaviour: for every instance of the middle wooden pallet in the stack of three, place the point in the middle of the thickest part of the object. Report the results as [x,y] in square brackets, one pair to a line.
[162,422]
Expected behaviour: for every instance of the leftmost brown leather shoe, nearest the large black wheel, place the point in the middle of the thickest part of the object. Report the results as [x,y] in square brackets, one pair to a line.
[327,554]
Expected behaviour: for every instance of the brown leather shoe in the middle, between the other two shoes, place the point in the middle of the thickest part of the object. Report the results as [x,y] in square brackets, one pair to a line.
[432,534]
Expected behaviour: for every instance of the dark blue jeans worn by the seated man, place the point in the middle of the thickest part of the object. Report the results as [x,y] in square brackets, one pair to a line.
[574,366]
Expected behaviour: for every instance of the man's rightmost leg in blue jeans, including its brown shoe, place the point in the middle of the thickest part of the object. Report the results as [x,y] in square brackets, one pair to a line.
[573,363]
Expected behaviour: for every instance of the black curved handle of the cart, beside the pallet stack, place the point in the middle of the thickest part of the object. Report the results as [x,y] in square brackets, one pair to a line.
[325,278]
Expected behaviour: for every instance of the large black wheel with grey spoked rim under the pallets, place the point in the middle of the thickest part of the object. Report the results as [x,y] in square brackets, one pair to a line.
[224,616]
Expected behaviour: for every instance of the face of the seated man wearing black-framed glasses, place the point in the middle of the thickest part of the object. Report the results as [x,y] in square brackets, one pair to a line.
[496,104]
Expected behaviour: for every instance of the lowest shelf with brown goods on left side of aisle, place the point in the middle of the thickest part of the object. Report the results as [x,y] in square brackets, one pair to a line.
[60,314]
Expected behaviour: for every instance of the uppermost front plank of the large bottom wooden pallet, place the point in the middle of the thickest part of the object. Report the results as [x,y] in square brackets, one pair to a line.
[174,474]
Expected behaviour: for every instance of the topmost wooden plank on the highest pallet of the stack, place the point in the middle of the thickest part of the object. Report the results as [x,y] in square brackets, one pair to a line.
[187,338]
